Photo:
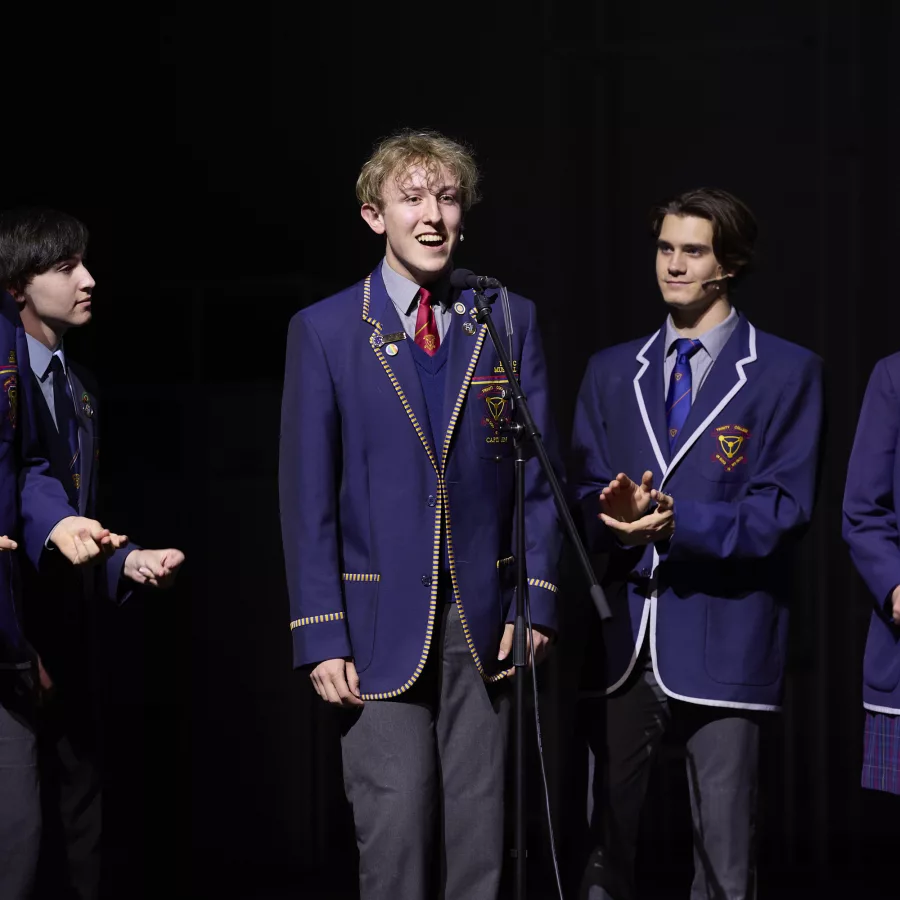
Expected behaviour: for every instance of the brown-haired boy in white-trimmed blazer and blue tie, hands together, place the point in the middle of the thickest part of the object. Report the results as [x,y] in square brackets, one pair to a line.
[727,419]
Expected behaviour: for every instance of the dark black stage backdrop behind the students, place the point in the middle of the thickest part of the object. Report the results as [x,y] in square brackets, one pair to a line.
[213,154]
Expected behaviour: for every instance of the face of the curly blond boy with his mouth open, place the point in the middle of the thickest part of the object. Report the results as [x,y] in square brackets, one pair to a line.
[421,218]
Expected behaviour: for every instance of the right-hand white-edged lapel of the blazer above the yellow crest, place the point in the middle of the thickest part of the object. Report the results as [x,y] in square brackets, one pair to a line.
[726,378]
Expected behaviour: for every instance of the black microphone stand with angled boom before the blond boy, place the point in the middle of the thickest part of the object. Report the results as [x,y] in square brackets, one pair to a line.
[525,430]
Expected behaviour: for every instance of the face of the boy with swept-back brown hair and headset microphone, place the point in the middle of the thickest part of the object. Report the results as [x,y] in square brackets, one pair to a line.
[685,260]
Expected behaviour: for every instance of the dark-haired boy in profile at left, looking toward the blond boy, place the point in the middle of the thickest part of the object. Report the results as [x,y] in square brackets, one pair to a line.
[42,267]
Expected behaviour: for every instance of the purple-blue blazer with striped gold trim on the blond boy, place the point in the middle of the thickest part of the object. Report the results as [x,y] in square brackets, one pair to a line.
[368,500]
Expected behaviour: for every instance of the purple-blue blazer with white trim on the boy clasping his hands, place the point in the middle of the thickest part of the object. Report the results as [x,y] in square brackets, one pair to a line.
[714,600]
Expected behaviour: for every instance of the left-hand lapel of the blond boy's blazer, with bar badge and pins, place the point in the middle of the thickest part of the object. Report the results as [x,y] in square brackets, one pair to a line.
[379,312]
